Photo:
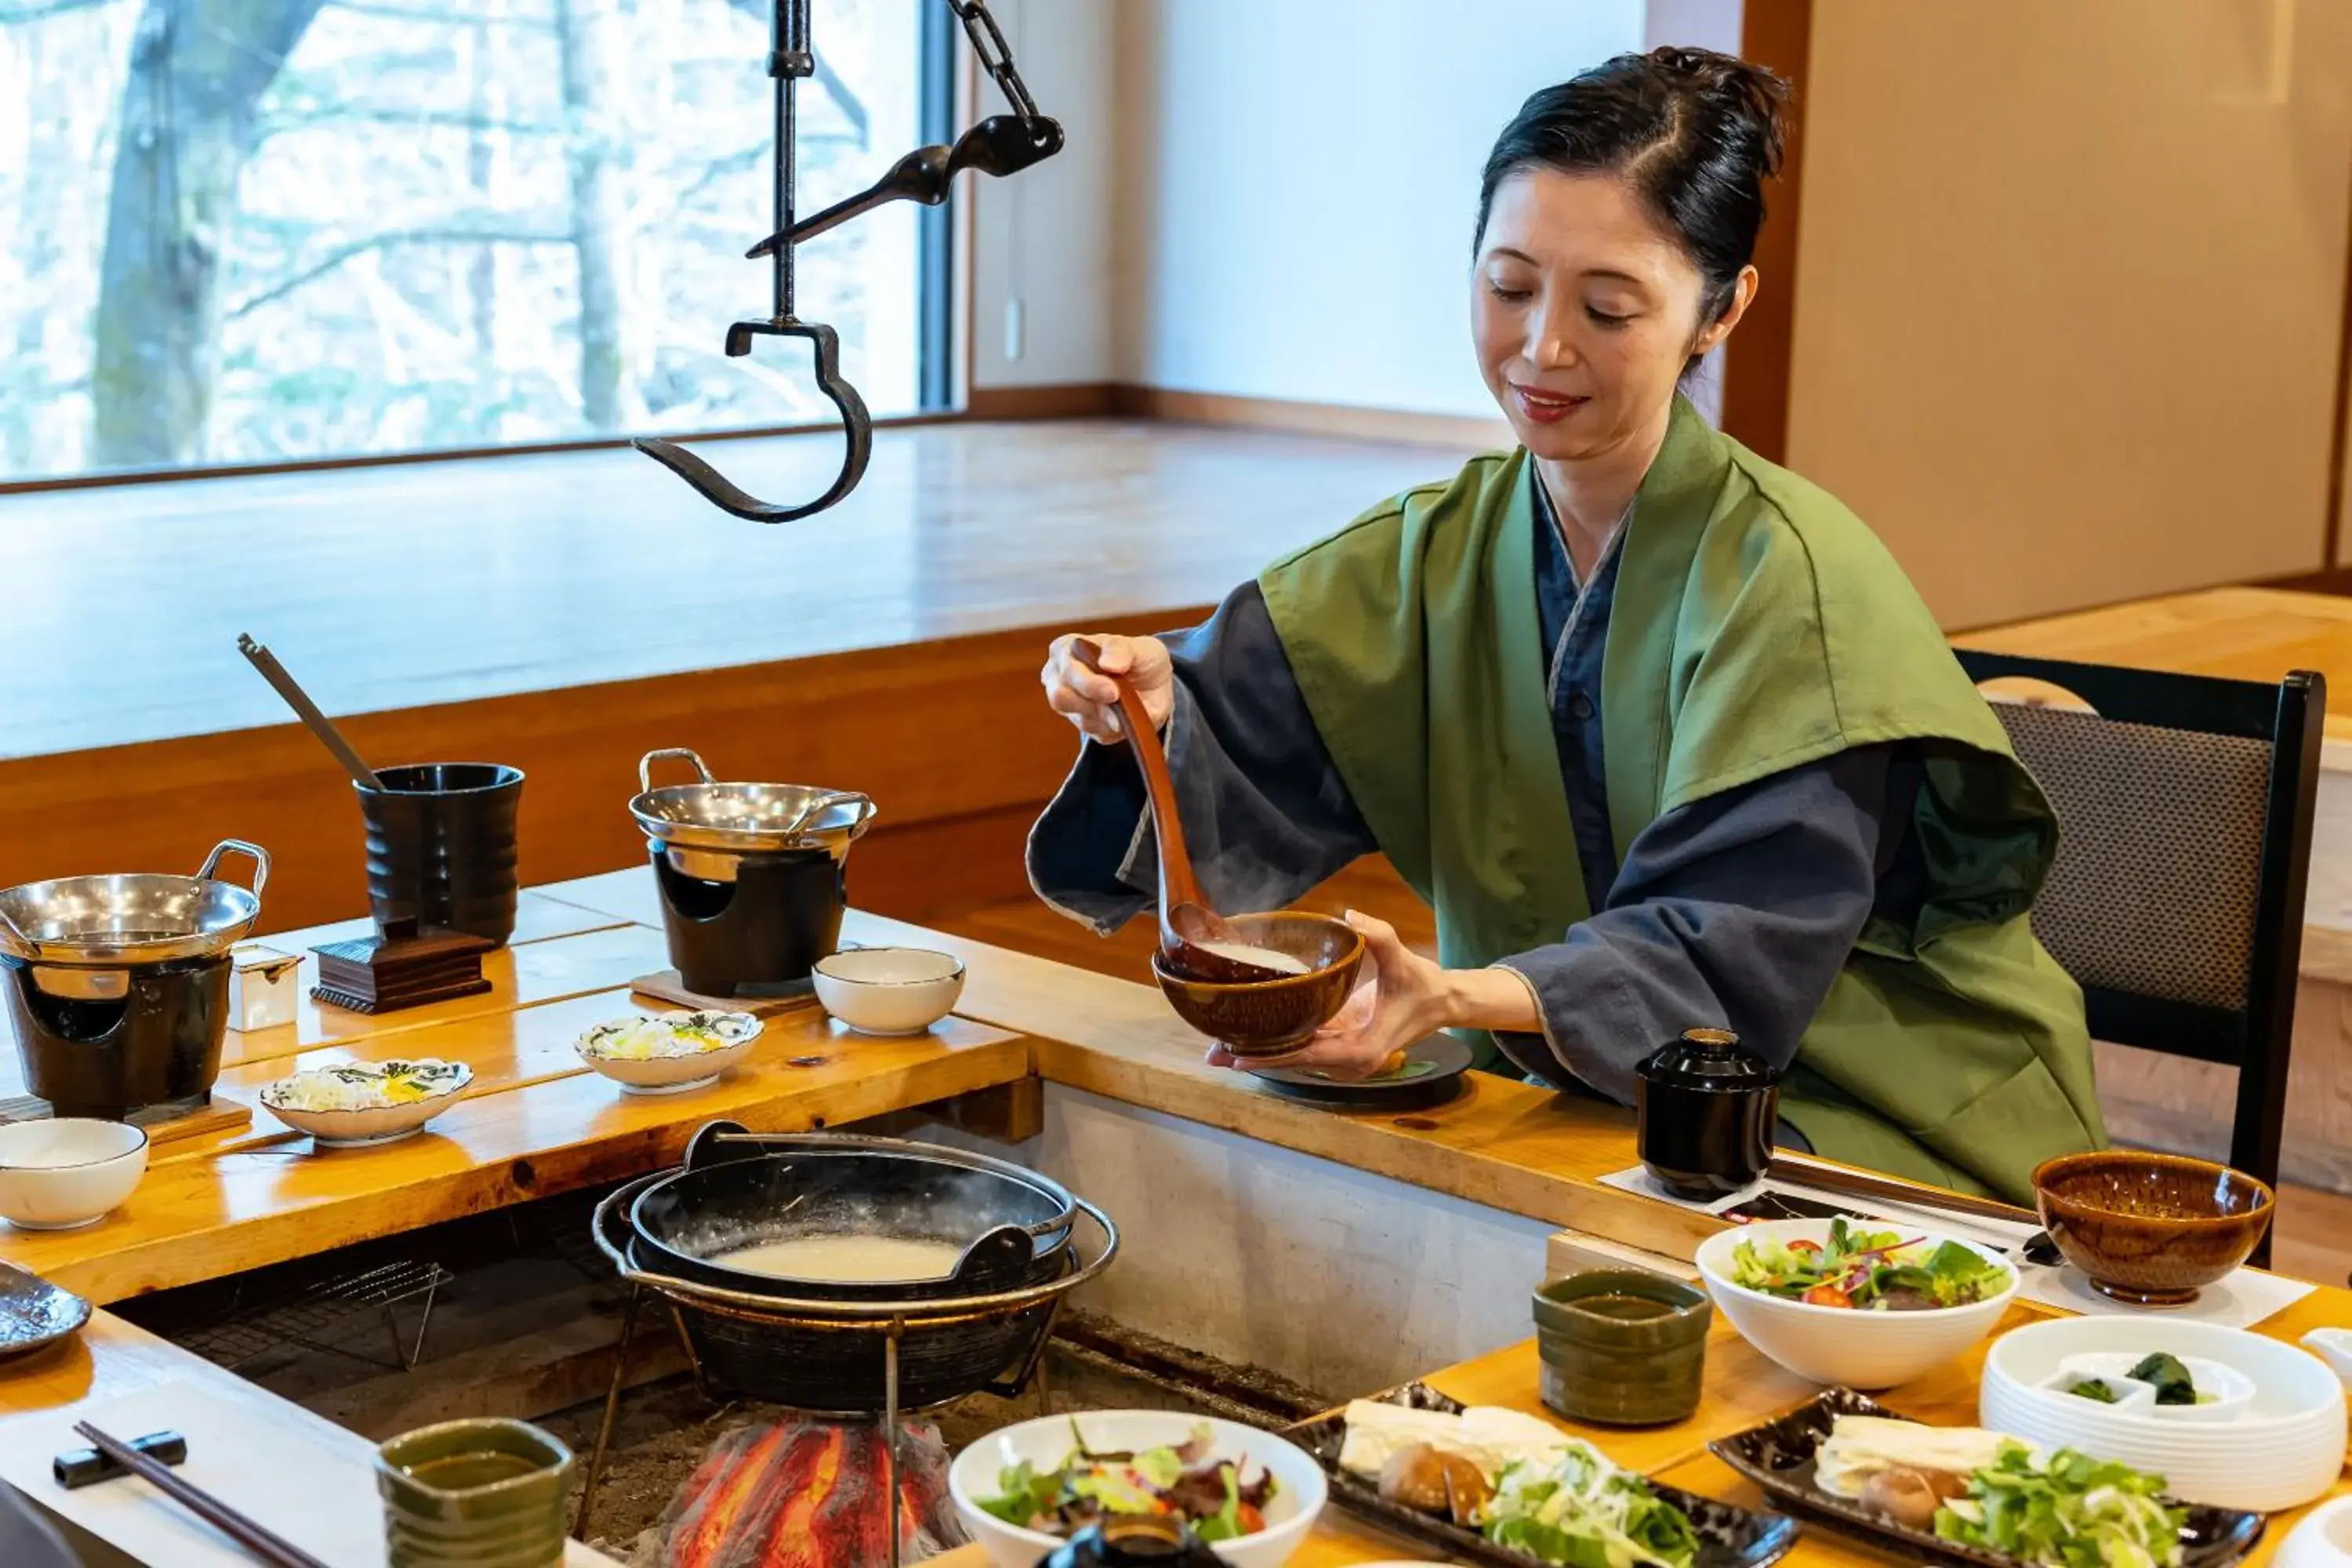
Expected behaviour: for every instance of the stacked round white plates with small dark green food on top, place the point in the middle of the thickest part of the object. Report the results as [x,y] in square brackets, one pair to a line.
[2273,1435]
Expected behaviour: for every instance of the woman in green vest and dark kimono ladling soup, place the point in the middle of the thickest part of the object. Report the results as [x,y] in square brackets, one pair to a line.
[1657,728]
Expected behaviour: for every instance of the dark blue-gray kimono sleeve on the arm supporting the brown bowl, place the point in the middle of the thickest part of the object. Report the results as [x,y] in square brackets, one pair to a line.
[1735,913]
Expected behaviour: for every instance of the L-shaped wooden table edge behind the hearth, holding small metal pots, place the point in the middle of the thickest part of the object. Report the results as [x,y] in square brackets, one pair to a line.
[537,1120]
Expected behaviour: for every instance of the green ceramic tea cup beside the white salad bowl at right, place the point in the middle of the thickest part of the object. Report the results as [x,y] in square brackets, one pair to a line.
[1622,1348]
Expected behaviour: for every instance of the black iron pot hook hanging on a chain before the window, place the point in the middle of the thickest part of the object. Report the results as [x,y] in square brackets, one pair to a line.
[998,147]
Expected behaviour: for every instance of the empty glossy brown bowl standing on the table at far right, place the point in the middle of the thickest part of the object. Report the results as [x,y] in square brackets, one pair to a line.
[2151,1228]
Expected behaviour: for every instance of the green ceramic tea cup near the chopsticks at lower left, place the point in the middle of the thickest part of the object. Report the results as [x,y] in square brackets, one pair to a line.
[474,1494]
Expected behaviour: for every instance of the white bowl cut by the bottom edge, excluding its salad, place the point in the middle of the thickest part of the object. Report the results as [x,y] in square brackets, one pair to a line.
[1045,1442]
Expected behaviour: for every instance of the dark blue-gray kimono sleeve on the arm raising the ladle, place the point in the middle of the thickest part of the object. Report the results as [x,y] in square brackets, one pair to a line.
[1264,812]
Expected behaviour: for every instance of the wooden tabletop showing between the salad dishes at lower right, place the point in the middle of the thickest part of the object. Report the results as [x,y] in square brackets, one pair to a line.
[1742,1391]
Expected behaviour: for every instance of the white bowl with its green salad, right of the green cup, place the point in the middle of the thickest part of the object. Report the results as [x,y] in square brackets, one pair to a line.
[1920,1299]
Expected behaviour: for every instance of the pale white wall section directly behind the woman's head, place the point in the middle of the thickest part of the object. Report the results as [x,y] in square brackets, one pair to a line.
[1297,185]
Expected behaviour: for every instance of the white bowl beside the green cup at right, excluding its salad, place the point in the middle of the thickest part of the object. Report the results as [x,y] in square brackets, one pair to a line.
[1859,1351]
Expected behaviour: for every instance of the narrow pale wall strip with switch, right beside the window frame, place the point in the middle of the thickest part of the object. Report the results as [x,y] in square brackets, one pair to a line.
[1043,236]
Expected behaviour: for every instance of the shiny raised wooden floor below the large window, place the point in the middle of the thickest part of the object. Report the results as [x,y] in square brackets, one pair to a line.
[469,579]
